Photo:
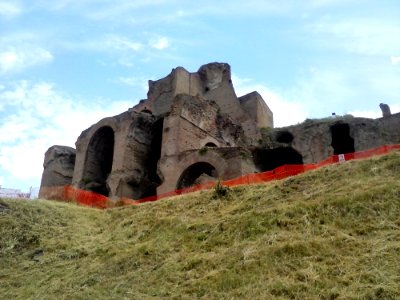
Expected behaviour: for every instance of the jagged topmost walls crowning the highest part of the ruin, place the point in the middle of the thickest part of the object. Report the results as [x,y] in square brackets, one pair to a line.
[212,82]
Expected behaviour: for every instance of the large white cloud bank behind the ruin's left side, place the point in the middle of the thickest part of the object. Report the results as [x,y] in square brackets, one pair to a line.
[38,116]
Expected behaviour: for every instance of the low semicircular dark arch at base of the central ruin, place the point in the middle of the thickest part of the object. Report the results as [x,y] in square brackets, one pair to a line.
[197,173]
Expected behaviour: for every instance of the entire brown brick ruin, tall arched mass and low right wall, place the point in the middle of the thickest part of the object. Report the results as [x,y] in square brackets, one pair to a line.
[193,128]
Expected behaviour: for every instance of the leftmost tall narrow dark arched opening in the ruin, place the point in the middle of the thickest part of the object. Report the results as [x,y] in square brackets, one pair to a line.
[99,160]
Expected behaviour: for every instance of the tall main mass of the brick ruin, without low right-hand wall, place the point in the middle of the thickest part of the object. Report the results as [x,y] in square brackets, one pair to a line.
[191,128]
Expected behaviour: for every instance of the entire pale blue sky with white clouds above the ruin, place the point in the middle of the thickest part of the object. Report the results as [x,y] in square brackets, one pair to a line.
[66,64]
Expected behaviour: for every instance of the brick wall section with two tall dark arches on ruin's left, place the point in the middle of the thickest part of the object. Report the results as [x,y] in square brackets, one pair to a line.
[118,156]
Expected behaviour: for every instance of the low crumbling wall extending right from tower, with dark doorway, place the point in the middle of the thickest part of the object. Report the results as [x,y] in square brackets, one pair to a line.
[315,140]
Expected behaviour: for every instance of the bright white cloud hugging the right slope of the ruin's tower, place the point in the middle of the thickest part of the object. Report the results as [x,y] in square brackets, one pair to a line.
[285,112]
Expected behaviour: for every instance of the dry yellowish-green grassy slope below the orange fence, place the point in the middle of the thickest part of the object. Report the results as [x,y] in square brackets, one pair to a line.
[333,233]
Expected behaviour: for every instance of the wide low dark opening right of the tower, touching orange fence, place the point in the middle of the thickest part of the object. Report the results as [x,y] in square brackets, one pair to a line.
[269,159]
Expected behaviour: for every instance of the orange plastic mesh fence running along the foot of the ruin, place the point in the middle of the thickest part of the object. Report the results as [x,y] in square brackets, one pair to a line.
[87,198]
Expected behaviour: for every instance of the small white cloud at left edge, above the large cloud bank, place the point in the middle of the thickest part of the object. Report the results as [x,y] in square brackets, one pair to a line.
[17,59]
